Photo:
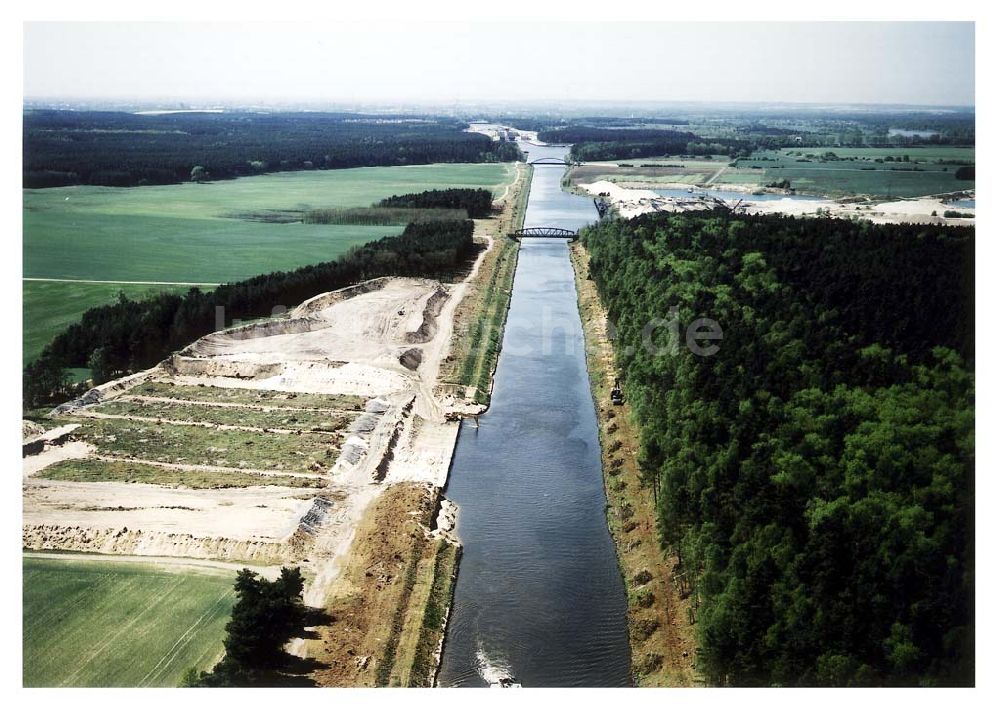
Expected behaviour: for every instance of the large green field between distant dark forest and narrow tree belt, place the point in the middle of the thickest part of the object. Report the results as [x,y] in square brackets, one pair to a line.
[195,232]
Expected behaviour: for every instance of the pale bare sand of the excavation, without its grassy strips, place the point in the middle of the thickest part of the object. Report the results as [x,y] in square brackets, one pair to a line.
[382,340]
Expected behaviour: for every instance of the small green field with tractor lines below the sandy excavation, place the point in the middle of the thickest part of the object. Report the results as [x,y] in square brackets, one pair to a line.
[94,623]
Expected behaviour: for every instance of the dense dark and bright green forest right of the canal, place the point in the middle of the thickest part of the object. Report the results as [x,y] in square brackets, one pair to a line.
[815,475]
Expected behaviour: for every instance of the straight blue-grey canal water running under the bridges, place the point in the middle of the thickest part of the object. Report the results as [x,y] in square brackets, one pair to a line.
[539,596]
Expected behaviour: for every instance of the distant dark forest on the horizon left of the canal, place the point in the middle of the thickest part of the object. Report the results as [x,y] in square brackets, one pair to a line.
[123,149]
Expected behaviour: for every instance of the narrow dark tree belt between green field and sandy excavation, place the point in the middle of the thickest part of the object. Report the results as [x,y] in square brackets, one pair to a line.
[130,335]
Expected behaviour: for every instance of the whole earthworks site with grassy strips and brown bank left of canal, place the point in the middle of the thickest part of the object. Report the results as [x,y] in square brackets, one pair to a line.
[321,439]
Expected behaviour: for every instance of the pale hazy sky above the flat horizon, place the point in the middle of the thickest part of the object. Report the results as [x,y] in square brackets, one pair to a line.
[913,63]
